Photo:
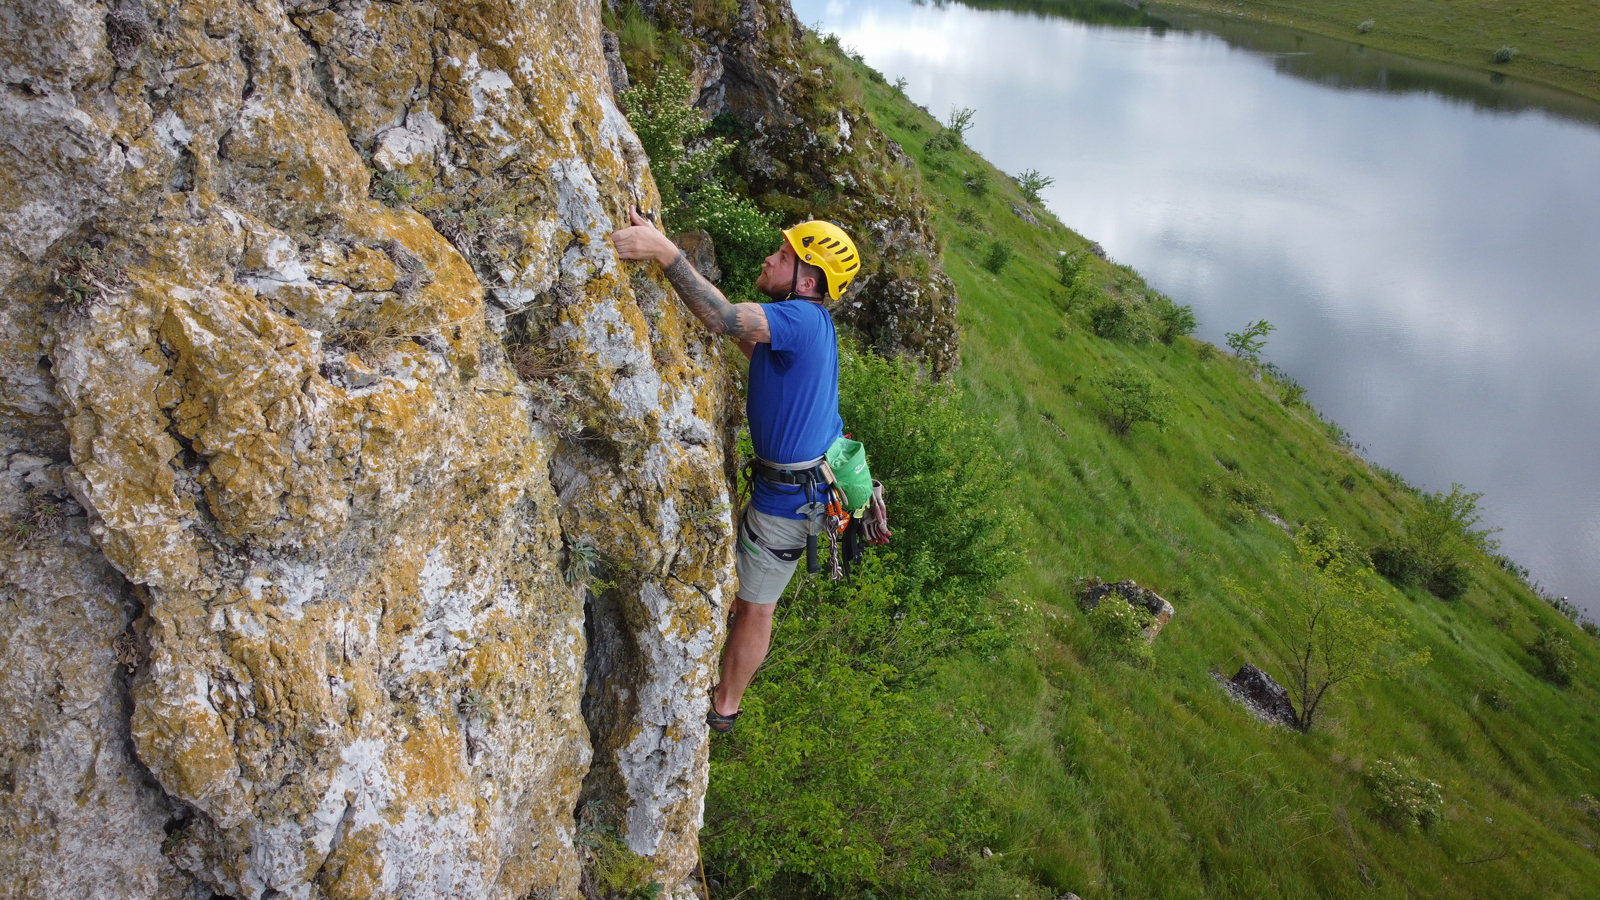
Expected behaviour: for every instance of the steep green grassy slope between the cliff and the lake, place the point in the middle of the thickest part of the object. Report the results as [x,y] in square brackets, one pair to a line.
[1153,784]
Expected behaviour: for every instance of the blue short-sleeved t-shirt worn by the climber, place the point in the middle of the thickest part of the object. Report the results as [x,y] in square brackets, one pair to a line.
[794,398]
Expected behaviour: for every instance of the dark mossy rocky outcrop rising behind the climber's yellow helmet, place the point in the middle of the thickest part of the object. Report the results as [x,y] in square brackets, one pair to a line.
[807,151]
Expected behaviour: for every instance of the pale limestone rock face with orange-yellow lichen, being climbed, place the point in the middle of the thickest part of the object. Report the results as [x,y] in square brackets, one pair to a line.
[364,515]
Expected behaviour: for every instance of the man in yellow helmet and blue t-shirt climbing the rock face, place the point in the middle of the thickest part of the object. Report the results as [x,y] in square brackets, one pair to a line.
[793,409]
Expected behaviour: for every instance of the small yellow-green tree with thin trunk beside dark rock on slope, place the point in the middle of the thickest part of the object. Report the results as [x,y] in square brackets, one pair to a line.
[1332,627]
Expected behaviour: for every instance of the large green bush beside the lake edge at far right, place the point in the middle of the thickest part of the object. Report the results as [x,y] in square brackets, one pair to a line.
[1438,544]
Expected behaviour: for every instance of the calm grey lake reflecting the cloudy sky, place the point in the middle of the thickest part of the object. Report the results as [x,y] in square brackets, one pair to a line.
[1425,238]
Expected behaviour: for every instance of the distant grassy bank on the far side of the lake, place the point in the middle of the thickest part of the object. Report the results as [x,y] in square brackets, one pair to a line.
[1558,41]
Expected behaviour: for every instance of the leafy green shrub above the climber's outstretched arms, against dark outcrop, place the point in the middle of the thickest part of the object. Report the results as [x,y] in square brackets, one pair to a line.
[695,193]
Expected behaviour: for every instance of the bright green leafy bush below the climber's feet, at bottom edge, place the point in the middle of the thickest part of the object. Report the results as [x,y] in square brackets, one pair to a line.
[836,782]
